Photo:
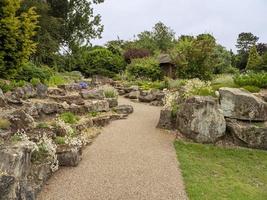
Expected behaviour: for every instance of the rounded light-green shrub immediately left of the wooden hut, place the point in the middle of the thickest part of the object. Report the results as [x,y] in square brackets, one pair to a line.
[145,68]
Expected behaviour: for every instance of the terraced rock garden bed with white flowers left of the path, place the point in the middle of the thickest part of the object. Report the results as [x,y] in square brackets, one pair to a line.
[42,129]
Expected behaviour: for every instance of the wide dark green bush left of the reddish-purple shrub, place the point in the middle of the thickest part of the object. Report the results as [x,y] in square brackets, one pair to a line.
[101,62]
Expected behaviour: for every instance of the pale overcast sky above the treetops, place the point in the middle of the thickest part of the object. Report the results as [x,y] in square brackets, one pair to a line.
[225,19]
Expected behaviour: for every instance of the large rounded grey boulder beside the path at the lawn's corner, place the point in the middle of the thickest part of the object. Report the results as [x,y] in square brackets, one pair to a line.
[200,119]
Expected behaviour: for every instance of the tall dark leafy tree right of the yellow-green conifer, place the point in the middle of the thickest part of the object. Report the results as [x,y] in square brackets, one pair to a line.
[64,25]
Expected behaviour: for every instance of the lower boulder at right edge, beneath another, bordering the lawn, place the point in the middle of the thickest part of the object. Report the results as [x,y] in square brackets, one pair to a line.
[248,134]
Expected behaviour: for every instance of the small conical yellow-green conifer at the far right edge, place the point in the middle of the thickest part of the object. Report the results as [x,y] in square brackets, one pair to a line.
[254,60]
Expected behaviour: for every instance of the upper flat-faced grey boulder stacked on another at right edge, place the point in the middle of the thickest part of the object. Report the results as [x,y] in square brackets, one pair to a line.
[242,105]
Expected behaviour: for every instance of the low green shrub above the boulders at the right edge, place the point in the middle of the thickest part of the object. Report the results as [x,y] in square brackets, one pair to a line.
[255,79]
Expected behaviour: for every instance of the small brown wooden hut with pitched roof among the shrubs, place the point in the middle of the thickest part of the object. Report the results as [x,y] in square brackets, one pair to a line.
[167,66]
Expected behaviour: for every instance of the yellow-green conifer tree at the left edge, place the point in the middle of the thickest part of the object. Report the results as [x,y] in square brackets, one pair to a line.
[16,33]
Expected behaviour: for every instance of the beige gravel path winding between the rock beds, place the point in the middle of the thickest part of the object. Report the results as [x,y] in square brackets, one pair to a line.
[130,160]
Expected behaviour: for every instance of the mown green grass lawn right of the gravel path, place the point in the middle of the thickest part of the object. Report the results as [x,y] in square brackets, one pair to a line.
[212,173]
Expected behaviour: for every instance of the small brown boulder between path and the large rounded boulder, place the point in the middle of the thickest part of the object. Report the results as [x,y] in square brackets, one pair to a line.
[166,120]
